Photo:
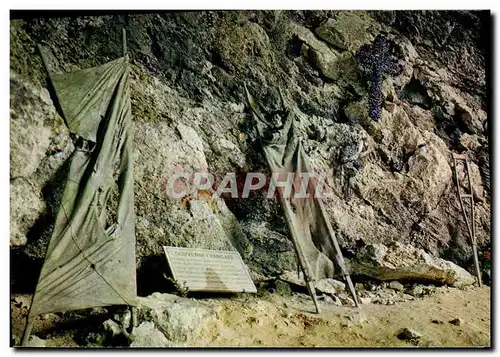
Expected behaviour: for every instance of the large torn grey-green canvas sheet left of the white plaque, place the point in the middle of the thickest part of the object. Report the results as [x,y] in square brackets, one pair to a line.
[90,259]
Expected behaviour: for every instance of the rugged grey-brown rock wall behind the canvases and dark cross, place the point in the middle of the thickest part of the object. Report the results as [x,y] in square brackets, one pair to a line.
[187,74]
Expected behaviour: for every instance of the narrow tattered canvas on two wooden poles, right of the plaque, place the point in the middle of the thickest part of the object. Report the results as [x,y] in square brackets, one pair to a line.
[314,239]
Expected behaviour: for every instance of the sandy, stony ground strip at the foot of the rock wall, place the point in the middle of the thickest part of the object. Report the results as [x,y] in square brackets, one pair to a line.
[420,316]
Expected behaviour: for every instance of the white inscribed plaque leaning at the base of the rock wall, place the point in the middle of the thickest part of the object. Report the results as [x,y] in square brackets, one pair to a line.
[209,270]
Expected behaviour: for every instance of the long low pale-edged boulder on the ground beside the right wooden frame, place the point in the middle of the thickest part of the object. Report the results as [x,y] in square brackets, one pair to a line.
[405,262]
